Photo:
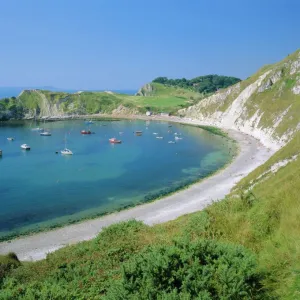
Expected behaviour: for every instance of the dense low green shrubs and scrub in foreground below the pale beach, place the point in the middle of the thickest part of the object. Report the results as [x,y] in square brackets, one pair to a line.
[133,261]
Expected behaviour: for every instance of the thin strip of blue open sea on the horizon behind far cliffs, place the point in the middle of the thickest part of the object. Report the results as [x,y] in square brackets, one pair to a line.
[15,91]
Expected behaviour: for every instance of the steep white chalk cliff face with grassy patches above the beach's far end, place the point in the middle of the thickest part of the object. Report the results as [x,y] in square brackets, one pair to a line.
[266,105]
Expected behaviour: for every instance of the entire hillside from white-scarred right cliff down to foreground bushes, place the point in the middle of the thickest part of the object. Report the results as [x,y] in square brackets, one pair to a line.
[246,246]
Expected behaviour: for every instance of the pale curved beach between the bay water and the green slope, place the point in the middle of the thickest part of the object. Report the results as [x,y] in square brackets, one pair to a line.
[198,196]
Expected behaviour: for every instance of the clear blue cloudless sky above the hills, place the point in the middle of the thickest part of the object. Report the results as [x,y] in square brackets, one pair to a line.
[123,44]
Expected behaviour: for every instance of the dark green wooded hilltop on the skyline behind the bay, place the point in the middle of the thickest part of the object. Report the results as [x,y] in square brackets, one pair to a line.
[202,84]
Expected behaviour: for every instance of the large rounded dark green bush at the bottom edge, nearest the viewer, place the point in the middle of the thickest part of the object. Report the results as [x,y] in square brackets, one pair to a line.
[184,270]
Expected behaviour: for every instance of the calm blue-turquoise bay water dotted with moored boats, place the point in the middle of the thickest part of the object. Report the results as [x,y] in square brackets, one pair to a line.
[39,188]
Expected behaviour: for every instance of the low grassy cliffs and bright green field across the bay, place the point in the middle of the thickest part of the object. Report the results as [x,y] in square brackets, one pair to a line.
[42,103]
